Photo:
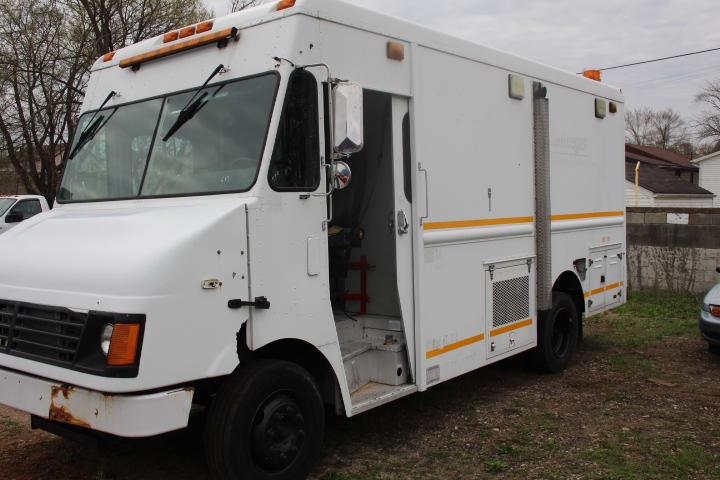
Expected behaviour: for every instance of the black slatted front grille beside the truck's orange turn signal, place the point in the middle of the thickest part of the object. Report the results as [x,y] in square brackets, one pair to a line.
[40,332]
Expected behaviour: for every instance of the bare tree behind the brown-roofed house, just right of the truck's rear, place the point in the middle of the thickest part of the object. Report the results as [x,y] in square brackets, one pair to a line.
[659,128]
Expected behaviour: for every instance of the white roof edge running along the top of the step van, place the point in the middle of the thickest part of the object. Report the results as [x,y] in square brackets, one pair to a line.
[394,28]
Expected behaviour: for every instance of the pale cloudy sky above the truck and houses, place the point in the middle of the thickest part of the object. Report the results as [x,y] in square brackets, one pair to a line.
[579,34]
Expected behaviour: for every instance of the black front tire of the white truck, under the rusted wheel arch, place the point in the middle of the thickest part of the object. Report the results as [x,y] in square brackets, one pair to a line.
[266,422]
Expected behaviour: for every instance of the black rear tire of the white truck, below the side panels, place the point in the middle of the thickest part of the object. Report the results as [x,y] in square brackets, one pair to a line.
[558,332]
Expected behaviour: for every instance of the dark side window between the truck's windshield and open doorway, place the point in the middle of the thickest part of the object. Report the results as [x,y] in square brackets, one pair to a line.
[295,163]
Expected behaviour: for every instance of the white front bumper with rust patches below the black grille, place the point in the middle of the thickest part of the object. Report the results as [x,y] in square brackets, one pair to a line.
[141,415]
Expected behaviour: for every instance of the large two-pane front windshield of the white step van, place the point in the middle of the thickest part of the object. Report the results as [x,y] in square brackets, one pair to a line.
[219,150]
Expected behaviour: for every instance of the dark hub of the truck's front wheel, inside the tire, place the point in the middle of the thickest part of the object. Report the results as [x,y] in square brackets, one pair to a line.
[278,433]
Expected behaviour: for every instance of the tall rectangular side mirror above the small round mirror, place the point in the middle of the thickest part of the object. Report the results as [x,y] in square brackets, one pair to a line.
[348,115]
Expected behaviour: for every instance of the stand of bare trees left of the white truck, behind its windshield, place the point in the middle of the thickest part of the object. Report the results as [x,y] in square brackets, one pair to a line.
[46,50]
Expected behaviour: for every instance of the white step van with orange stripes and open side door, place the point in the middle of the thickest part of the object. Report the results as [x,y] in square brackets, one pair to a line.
[209,250]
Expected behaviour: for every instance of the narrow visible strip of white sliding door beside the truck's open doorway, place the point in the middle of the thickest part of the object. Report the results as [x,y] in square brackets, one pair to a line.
[402,219]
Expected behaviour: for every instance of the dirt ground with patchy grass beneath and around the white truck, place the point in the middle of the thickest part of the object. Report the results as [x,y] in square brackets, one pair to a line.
[641,400]
